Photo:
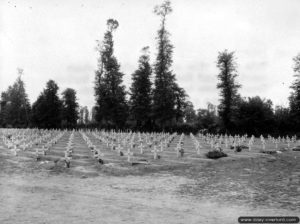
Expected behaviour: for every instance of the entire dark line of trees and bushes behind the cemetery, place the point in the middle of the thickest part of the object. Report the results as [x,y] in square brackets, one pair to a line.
[158,105]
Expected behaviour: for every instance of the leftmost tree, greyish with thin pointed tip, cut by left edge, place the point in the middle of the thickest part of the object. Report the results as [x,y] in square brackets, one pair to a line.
[15,106]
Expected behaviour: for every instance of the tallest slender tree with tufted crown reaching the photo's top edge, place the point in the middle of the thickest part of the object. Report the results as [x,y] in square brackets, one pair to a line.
[164,99]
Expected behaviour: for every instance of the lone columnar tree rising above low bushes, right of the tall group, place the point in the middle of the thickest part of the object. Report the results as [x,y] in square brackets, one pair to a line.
[228,89]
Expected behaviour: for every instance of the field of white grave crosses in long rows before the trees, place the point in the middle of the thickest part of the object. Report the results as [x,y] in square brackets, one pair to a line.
[91,148]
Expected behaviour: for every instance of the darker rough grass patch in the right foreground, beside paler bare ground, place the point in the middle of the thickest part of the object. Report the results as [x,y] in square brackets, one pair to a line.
[270,182]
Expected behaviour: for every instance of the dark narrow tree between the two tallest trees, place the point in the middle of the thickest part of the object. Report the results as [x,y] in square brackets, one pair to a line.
[140,96]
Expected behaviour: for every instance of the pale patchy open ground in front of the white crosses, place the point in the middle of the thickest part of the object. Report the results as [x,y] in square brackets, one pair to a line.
[188,189]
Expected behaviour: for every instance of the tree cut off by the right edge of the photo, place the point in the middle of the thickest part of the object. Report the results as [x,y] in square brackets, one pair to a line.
[295,96]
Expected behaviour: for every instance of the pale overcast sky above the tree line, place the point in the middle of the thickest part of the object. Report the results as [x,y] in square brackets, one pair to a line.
[56,40]
